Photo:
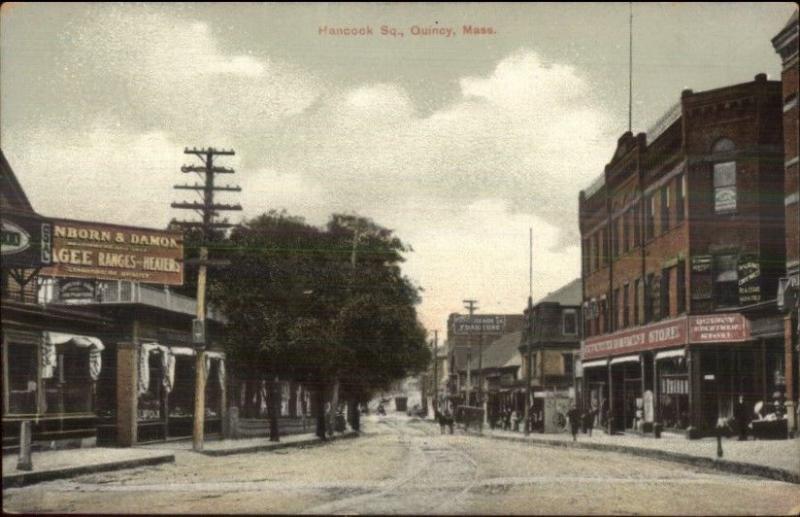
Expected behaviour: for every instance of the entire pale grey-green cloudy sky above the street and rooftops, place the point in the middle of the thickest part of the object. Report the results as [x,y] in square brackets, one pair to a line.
[458,143]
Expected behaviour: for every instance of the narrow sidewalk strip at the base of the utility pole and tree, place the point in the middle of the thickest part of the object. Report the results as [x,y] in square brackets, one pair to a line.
[245,445]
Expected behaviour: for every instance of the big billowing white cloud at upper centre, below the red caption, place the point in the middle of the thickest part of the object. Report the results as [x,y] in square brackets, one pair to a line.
[528,133]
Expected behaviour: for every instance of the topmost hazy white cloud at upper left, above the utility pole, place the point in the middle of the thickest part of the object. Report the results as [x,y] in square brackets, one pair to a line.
[172,73]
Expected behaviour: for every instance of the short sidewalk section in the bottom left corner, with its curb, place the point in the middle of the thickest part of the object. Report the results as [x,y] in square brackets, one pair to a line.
[49,465]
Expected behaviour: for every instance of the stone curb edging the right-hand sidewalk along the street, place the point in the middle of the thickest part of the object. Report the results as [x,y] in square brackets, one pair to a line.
[734,467]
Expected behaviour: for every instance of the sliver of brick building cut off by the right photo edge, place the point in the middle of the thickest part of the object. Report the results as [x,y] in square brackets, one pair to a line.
[786,45]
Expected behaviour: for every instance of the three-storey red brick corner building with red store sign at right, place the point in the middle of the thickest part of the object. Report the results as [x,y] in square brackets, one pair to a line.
[680,265]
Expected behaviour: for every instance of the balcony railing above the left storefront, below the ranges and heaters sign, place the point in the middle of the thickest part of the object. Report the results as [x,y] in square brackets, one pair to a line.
[131,292]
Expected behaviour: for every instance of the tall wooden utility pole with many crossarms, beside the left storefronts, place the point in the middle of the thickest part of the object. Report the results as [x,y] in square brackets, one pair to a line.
[208,210]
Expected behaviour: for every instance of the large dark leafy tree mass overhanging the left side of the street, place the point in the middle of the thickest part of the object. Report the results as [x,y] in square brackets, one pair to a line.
[323,307]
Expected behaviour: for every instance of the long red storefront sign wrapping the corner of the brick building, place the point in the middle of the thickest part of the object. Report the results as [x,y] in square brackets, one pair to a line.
[714,328]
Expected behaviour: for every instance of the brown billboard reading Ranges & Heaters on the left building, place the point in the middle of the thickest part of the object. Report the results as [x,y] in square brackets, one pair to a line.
[110,252]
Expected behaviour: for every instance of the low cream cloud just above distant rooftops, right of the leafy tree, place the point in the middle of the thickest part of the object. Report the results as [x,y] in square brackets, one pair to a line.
[481,251]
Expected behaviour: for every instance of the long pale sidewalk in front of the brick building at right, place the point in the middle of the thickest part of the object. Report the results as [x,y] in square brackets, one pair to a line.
[774,459]
